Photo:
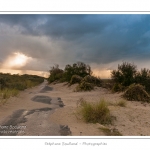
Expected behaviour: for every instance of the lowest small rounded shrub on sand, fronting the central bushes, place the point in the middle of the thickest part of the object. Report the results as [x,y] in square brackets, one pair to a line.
[84,86]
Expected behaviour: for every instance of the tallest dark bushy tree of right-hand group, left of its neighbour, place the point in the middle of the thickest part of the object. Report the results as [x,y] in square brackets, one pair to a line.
[125,75]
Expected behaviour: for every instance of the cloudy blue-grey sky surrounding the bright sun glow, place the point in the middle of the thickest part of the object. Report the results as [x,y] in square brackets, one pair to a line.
[102,41]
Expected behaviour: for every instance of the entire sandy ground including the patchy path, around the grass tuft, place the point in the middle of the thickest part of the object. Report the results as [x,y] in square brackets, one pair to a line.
[51,110]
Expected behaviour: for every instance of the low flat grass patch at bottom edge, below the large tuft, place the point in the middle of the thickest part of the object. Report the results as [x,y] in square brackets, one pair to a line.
[111,132]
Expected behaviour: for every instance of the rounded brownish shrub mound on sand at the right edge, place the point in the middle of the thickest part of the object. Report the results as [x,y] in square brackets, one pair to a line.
[136,92]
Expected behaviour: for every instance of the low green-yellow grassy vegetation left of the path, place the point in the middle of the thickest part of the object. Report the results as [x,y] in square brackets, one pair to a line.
[10,85]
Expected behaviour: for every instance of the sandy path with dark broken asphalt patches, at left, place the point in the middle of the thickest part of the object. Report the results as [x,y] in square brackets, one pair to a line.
[29,113]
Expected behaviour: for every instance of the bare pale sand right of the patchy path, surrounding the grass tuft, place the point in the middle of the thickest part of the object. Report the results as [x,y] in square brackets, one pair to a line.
[130,120]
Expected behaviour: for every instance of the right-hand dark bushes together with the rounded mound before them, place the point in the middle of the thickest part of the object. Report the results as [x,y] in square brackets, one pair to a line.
[134,84]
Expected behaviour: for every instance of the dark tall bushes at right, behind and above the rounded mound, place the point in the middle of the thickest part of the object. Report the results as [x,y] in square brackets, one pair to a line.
[128,74]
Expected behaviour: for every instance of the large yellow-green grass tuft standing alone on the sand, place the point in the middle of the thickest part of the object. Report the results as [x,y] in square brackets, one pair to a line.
[95,112]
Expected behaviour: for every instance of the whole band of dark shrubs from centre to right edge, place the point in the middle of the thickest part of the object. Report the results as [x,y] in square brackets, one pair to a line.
[122,79]
